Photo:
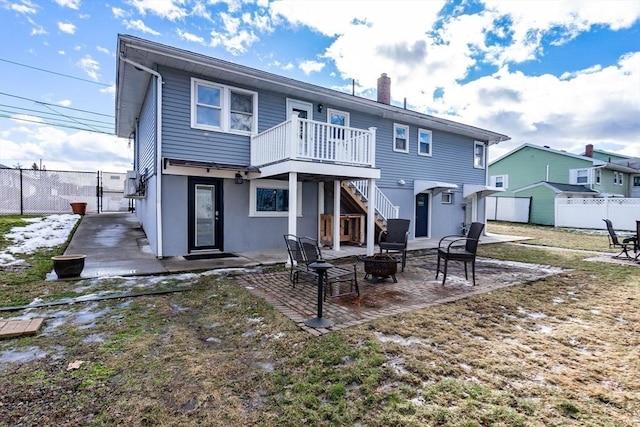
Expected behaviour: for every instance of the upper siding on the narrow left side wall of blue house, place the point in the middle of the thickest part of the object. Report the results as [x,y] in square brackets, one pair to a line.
[147,132]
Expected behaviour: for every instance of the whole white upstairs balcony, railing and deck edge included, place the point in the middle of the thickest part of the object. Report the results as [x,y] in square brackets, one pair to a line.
[310,146]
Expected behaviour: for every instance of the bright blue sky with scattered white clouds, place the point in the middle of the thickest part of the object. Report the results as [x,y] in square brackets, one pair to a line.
[557,73]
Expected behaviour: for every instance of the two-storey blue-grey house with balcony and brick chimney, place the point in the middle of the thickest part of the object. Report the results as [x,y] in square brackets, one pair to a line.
[230,158]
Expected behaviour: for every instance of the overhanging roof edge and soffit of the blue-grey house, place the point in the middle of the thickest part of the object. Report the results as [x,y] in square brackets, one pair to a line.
[132,83]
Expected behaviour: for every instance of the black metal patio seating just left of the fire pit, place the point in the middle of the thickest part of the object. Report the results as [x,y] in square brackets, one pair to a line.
[304,251]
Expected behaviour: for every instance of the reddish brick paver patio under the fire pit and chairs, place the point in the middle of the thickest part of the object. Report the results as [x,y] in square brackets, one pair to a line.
[416,288]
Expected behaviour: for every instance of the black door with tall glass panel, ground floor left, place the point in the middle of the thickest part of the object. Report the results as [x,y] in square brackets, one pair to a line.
[205,214]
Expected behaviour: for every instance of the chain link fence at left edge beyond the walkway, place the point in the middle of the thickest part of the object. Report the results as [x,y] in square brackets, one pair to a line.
[27,191]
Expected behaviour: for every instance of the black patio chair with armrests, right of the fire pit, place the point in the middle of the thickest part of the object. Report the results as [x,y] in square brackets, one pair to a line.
[450,248]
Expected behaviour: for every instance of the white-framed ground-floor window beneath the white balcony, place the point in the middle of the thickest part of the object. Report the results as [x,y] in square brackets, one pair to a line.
[270,198]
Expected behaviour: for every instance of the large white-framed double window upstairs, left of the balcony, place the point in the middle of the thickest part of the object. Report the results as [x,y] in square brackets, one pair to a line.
[223,108]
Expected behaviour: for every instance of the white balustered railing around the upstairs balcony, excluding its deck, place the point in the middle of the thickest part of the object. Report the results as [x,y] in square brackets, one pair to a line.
[304,139]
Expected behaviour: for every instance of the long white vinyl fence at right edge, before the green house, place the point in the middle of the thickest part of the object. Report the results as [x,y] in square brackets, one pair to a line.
[589,213]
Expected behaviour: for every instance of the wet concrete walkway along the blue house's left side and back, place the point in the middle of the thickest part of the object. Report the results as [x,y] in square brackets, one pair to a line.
[116,245]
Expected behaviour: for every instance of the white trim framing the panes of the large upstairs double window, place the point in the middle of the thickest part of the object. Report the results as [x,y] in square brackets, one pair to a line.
[225,107]
